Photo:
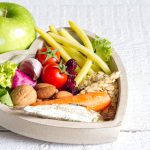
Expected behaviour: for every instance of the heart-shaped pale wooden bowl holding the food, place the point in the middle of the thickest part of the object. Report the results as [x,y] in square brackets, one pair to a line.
[66,131]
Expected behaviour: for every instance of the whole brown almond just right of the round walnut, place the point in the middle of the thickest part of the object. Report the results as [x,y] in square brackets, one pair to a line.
[46,92]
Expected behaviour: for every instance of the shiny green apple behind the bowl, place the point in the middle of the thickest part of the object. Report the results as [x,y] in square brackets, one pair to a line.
[17,27]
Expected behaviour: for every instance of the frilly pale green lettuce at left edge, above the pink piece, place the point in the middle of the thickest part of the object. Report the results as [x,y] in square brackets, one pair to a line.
[7,71]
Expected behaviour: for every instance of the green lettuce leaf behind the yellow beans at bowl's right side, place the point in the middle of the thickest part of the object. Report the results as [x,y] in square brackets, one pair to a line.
[103,48]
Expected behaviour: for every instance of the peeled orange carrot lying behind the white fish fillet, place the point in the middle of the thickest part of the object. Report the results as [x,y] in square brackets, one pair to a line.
[95,101]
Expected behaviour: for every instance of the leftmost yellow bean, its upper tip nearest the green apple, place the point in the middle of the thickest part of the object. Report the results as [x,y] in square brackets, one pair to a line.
[50,40]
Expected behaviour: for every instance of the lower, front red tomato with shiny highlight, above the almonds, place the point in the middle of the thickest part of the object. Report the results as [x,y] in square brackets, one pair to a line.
[53,75]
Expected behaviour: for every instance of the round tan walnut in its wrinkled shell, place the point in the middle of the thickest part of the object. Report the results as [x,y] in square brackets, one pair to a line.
[23,95]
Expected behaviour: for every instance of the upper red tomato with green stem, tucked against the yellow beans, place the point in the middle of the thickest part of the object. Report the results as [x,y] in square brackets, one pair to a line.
[48,55]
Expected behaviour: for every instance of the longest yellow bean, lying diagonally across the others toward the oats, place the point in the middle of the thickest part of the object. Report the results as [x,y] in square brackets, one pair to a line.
[83,50]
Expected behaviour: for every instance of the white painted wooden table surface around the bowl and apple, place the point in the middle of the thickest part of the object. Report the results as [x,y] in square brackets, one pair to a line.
[127,24]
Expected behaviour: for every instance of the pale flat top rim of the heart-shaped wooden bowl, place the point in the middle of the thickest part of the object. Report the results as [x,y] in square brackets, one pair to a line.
[115,66]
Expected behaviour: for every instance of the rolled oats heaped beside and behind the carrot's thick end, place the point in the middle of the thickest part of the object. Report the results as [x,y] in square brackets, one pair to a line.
[103,82]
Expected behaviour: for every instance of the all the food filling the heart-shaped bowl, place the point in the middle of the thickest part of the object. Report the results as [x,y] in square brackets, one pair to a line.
[66,80]
